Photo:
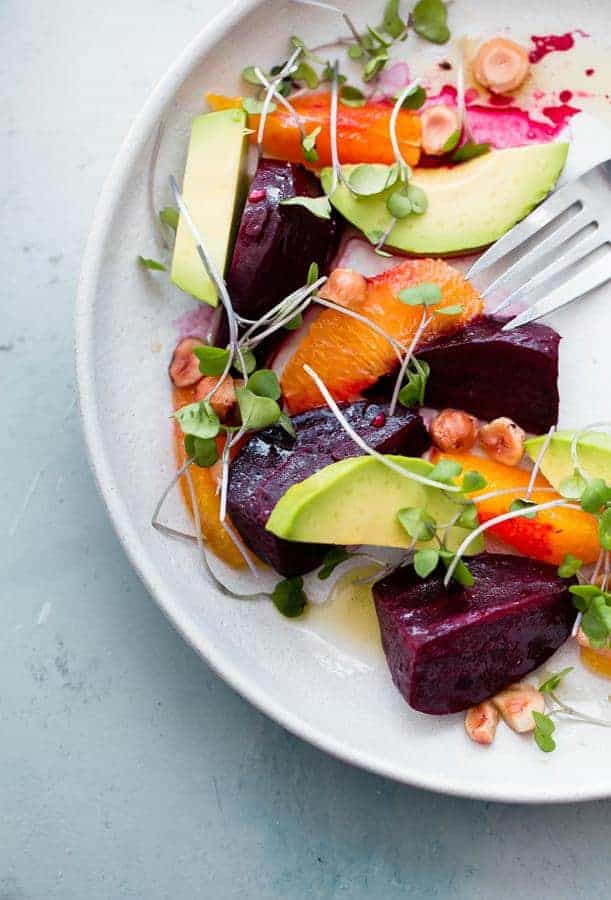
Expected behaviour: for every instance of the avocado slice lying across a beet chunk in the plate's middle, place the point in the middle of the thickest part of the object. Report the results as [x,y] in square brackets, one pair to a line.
[356,501]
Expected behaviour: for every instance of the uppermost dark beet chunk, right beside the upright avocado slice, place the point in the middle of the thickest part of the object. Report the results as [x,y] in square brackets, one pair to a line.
[276,244]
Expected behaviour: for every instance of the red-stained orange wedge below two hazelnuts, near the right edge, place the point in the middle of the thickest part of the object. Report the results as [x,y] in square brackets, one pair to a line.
[549,537]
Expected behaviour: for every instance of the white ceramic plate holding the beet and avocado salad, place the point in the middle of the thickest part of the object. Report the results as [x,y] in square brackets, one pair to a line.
[324,678]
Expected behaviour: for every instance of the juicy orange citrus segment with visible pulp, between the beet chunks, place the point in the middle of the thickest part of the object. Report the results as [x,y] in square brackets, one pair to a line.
[349,356]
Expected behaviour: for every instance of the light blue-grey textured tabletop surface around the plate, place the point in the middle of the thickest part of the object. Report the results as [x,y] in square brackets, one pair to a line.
[127,769]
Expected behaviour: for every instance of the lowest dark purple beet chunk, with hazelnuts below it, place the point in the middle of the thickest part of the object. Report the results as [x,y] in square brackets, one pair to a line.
[449,650]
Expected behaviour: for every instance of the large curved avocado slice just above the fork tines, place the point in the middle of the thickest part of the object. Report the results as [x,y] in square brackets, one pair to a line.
[470,205]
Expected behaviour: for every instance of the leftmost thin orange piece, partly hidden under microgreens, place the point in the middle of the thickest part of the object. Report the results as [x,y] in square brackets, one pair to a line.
[204,483]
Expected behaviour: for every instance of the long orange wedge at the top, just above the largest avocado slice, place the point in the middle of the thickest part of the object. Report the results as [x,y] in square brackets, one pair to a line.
[363,134]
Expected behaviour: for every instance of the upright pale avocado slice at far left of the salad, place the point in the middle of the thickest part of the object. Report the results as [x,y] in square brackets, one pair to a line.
[214,189]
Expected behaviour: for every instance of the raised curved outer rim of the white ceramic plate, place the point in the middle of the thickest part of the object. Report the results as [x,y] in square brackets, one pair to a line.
[128,536]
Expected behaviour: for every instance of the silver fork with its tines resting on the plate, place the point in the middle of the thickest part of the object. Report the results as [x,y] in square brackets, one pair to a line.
[560,252]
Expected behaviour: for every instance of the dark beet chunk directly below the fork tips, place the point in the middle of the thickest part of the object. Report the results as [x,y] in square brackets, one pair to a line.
[492,373]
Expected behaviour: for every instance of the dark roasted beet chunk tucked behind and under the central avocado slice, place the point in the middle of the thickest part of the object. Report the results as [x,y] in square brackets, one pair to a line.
[271,462]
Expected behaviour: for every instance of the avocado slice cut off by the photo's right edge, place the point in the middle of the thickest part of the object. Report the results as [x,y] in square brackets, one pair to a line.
[594,455]
